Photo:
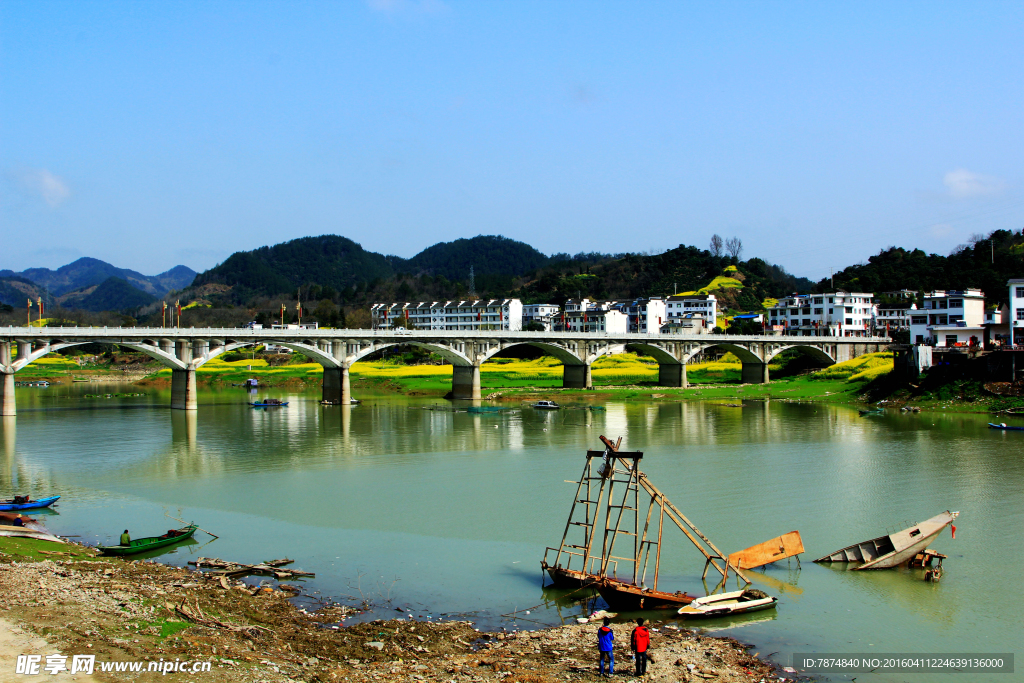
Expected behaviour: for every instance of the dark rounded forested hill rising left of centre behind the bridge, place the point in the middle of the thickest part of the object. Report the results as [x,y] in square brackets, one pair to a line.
[328,261]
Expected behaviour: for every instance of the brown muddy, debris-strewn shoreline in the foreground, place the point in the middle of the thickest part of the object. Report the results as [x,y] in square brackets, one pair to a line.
[74,603]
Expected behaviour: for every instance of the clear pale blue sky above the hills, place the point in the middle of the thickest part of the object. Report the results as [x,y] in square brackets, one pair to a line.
[150,135]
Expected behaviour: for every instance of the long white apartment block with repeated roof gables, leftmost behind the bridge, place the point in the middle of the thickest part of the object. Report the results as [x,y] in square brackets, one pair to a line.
[467,315]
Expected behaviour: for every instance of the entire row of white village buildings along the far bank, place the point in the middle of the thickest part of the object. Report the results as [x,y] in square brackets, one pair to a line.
[947,318]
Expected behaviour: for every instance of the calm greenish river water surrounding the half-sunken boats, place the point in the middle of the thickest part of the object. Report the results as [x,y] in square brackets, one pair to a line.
[449,514]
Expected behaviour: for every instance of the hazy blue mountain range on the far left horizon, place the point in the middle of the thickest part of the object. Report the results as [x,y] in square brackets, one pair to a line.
[89,272]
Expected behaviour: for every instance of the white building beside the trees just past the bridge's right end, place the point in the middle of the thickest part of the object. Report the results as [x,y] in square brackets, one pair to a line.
[950,318]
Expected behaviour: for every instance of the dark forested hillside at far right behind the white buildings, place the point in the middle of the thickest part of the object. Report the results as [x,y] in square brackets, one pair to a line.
[986,263]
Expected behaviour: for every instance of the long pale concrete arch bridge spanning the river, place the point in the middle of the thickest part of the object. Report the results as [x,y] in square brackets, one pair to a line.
[184,351]
